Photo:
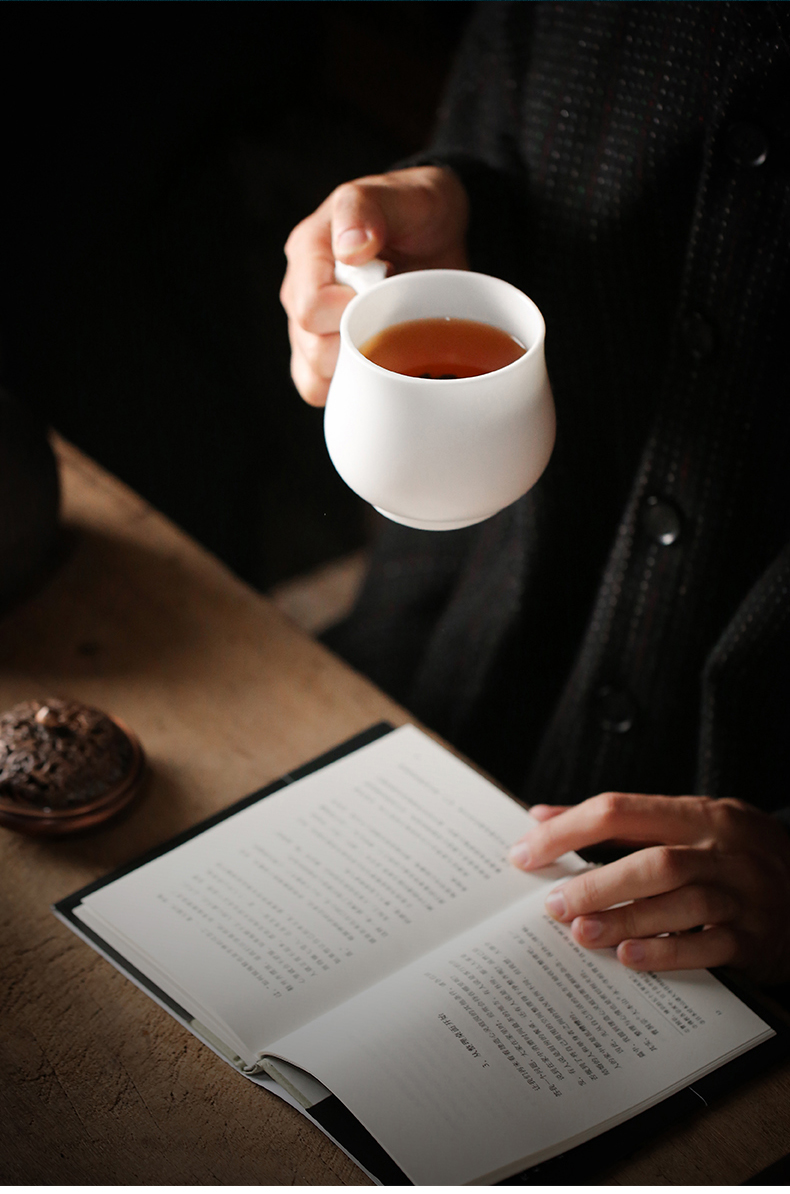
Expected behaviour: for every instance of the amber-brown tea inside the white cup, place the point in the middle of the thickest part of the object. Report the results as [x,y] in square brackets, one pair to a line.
[443,349]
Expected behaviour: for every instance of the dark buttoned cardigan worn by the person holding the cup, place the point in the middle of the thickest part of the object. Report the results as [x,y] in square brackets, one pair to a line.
[626,625]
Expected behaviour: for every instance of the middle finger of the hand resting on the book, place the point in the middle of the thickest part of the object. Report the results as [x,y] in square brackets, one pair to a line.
[652,872]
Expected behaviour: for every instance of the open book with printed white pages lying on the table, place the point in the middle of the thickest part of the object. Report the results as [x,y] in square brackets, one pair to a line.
[359,940]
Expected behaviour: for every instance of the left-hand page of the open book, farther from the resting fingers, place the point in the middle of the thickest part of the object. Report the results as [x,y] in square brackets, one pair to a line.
[313,894]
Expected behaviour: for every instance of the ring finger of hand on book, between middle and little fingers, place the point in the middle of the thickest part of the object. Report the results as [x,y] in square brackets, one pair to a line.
[687,908]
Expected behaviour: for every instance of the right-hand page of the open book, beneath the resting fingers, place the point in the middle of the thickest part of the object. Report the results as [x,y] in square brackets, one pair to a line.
[511,1044]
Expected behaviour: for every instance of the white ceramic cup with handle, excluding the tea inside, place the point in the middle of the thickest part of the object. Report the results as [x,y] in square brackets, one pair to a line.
[439,454]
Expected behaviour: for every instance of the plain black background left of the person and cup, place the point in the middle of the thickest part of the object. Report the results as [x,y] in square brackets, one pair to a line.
[156,158]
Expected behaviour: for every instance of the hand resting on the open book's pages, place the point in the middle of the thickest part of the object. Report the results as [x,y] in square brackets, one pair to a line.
[709,888]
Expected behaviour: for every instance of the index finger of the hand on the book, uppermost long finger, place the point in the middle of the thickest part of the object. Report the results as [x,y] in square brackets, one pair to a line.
[616,815]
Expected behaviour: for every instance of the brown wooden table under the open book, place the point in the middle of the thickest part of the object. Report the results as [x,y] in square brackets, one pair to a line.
[100,1086]
